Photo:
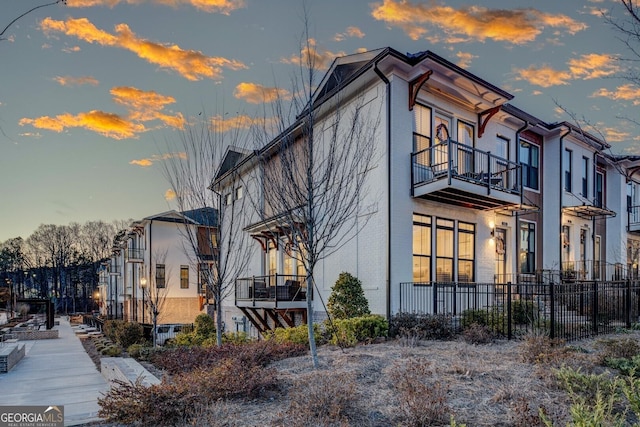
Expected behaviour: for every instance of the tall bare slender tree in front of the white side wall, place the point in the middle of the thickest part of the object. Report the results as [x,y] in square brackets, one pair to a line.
[315,173]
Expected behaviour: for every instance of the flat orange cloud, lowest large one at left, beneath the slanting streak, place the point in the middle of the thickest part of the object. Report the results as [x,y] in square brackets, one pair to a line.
[106,124]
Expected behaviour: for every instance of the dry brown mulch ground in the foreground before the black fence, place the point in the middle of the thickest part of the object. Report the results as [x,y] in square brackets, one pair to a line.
[485,385]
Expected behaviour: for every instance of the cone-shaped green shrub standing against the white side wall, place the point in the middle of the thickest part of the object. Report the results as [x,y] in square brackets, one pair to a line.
[347,298]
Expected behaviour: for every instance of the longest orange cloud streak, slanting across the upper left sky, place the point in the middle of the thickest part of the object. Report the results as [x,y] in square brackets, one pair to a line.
[190,64]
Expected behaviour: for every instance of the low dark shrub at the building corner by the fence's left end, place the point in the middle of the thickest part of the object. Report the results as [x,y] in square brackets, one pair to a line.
[421,326]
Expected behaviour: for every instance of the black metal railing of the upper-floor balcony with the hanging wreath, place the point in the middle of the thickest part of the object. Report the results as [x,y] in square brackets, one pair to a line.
[452,159]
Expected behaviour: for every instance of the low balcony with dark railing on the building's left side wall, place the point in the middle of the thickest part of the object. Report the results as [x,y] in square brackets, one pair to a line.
[271,292]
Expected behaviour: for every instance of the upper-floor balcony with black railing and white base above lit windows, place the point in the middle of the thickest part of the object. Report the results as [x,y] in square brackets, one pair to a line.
[456,174]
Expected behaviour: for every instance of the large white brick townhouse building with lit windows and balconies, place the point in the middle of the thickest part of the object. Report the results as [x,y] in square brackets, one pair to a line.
[468,189]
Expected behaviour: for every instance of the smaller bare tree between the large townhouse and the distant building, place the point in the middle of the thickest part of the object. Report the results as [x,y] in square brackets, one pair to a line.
[218,247]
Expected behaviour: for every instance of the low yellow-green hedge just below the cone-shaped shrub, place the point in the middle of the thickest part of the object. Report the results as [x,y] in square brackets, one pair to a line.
[349,332]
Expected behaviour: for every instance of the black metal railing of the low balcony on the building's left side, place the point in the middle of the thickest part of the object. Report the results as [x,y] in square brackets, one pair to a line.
[273,288]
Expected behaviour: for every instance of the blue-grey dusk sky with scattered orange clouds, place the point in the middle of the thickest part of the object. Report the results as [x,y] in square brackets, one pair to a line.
[91,90]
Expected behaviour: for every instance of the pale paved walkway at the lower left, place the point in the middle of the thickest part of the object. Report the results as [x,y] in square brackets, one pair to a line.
[56,372]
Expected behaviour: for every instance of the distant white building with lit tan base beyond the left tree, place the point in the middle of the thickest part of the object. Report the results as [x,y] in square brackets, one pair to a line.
[154,260]
